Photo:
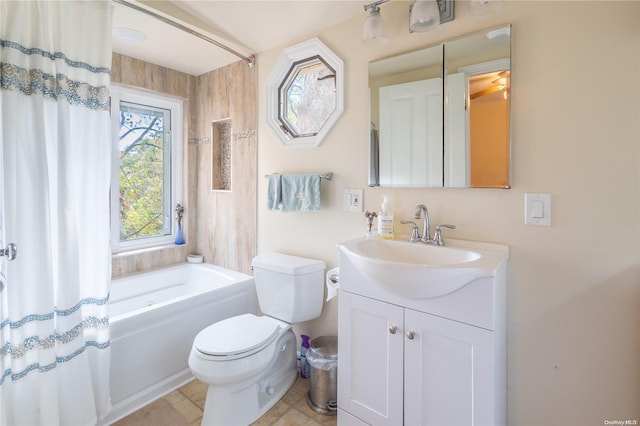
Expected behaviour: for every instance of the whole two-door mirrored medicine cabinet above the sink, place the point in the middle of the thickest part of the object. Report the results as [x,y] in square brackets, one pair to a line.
[440,115]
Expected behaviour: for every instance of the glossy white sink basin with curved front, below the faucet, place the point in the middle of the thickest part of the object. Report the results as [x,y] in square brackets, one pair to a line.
[415,270]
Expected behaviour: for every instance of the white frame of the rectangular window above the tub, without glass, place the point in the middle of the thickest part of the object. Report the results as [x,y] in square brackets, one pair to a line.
[154,100]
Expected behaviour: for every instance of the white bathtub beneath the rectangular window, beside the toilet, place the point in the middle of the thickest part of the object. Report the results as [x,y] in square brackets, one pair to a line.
[154,317]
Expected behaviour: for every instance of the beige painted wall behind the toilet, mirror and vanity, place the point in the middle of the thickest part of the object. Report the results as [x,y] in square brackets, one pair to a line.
[574,287]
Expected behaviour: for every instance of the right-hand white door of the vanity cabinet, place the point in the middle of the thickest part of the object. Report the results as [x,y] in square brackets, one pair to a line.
[448,372]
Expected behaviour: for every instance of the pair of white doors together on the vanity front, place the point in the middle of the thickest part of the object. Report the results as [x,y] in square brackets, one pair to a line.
[401,366]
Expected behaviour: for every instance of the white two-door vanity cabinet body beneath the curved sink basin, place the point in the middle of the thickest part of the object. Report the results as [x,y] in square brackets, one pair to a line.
[422,361]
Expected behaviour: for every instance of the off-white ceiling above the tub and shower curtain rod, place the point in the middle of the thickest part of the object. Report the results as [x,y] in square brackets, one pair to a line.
[248,26]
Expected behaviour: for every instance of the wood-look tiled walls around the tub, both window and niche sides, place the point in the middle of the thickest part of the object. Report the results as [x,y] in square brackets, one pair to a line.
[221,225]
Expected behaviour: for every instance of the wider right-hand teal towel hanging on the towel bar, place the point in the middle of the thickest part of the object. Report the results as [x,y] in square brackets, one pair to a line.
[301,192]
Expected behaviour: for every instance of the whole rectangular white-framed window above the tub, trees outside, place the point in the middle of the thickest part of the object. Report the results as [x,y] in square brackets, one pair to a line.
[147,168]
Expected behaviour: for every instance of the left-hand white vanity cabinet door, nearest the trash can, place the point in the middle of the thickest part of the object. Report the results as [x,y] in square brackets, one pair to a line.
[370,381]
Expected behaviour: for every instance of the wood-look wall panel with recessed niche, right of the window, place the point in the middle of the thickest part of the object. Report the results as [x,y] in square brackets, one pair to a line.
[226,223]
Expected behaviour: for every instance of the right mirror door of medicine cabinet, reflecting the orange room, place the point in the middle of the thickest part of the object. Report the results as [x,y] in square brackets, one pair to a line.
[477,86]
